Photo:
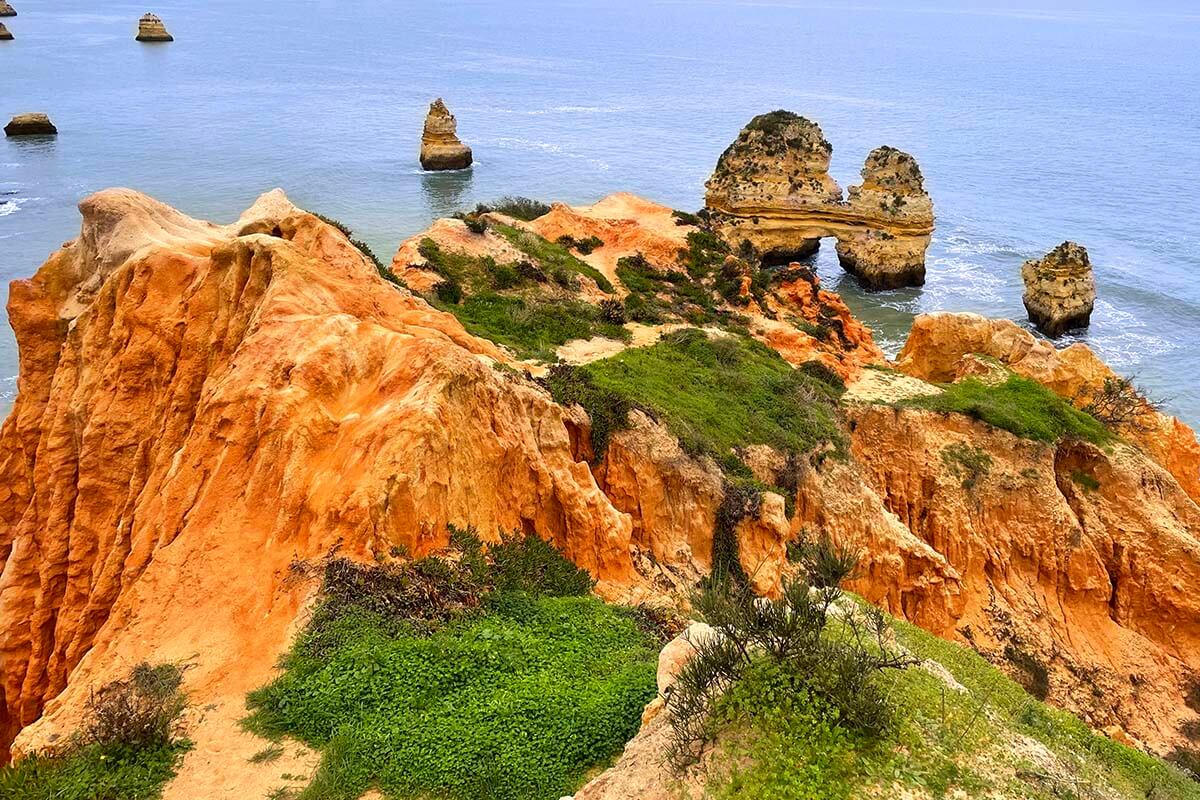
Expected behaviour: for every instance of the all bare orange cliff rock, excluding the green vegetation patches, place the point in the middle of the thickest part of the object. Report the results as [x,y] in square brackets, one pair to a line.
[201,407]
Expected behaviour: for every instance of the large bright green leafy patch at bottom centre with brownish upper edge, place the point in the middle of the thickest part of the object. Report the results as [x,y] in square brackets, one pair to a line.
[484,675]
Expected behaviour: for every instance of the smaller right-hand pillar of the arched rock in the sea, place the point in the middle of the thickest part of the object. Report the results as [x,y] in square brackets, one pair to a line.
[893,191]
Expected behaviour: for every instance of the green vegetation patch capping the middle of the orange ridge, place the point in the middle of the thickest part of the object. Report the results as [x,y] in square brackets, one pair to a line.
[739,393]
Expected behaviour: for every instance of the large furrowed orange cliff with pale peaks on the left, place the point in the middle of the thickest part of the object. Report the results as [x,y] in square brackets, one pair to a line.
[199,408]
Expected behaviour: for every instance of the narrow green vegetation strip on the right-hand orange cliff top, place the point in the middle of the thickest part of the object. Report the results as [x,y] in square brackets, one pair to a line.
[1019,406]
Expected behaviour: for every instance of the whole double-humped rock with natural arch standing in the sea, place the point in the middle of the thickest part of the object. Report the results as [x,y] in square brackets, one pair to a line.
[772,189]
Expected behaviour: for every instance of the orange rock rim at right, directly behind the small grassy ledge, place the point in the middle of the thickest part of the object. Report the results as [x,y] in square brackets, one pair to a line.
[939,346]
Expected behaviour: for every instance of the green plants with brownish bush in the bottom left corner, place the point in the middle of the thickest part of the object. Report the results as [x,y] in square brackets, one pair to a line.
[125,750]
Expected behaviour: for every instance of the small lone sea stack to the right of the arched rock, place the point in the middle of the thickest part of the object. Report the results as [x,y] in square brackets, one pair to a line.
[1060,290]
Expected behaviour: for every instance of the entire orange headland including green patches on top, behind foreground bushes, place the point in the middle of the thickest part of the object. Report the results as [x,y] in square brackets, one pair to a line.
[206,410]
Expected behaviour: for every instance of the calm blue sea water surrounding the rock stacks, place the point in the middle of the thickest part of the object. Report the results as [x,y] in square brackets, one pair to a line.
[1034,124]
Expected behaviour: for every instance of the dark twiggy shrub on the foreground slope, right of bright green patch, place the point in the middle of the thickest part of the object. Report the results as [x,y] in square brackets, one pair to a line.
[791,639]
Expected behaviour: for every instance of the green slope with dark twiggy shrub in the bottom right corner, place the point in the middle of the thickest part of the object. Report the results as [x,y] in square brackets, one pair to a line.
[827,711]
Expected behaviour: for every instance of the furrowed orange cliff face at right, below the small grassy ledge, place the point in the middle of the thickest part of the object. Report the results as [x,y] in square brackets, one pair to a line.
[1078,568]
